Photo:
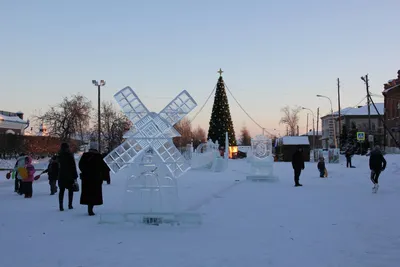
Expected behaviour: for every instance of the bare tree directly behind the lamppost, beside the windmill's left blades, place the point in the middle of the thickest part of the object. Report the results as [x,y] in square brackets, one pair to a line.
[114,124]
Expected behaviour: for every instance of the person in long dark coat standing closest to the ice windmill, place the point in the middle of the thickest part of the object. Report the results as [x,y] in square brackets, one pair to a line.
[91,165]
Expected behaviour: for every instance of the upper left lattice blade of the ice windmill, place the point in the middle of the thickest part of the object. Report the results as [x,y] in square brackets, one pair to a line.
[131,105]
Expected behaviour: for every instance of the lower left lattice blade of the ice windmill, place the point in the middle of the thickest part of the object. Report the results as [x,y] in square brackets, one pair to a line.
[124,154]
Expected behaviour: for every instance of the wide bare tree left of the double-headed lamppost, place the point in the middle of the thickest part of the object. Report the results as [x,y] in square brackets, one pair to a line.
[68,119]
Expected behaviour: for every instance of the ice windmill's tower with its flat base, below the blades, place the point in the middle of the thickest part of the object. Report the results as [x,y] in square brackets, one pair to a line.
[151,196]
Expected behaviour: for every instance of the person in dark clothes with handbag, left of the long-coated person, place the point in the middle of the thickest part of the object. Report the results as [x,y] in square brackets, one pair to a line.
[67,175]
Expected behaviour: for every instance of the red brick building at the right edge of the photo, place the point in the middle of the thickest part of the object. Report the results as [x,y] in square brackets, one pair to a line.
[391,93]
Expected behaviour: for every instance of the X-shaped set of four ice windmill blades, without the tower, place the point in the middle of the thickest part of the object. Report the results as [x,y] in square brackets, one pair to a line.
[151,130]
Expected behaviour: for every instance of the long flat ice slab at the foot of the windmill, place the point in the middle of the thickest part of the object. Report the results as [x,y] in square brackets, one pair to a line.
[153,218]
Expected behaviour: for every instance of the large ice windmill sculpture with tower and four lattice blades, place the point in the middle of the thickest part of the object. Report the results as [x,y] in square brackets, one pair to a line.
[150,157]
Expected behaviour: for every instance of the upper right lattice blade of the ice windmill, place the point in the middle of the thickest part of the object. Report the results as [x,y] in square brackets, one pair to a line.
[178,108]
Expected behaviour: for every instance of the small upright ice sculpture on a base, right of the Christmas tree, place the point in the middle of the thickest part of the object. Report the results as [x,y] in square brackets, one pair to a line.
[261,159]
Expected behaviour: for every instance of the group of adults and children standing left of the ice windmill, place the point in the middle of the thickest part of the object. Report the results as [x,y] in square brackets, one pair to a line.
[62,169]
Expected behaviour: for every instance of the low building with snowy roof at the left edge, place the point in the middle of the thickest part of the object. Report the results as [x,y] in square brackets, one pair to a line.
[12,123]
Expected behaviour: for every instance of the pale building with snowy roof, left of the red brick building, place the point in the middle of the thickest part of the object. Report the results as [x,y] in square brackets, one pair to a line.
[353,116]
